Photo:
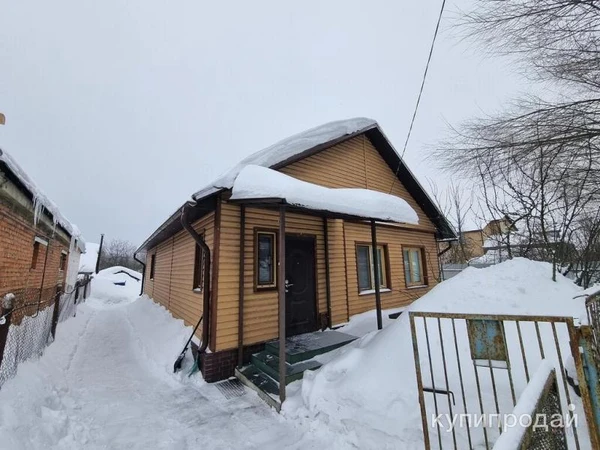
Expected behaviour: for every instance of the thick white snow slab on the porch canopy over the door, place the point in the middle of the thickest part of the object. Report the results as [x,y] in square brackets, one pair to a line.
[255,182]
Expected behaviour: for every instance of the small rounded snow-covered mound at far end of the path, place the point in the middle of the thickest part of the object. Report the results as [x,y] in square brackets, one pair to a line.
[103,285]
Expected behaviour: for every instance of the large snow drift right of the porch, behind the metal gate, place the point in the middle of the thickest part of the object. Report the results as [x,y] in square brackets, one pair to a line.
[369,391]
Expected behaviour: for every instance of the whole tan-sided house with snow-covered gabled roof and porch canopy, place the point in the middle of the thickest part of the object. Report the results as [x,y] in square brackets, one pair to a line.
[328,269]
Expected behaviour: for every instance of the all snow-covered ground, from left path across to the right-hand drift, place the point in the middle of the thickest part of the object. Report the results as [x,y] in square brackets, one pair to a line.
[107,381]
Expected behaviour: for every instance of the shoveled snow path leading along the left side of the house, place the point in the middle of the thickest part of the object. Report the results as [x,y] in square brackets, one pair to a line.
[111,397]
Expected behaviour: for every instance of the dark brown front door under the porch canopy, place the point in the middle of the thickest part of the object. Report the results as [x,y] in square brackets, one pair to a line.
[300,297]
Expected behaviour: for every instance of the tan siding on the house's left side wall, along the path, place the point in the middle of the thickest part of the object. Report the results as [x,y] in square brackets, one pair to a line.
[174,272]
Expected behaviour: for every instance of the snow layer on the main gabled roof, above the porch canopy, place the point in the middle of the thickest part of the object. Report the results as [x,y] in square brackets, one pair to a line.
[288,148]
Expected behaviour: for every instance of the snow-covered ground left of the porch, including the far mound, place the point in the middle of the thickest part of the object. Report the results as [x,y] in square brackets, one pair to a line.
[107,383]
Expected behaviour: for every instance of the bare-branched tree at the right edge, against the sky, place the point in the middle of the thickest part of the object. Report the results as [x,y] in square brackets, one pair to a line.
[538,162]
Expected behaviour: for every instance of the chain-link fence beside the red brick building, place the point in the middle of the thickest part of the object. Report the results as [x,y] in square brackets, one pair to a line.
[28,322]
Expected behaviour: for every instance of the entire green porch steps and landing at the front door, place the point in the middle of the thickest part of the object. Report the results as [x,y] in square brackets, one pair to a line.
[262,374]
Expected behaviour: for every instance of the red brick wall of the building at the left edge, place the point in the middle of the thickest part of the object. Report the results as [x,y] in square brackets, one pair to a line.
[17,235]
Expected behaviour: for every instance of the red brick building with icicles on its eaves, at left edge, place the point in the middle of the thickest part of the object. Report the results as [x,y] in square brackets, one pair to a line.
[40,249]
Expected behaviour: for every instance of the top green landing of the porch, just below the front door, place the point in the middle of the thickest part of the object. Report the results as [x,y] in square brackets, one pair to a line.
[307,346]
